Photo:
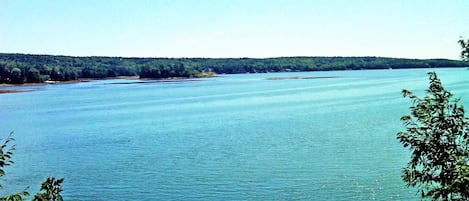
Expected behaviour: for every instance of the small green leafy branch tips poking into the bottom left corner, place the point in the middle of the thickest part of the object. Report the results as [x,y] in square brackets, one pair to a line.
[50,188]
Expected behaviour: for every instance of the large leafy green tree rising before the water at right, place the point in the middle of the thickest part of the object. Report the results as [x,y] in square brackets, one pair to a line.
[437,136]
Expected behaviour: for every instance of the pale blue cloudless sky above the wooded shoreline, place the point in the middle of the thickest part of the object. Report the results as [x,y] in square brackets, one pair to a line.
[419,29]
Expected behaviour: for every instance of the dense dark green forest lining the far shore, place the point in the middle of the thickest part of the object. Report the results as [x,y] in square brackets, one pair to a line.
[27,68]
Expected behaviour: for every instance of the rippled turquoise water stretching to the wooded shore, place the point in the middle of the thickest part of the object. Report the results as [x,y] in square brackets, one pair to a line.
[233,137]
